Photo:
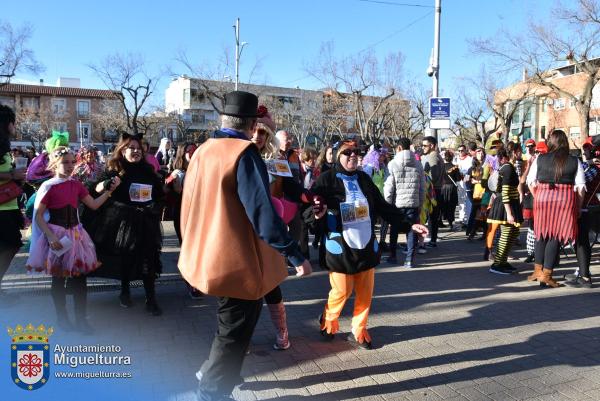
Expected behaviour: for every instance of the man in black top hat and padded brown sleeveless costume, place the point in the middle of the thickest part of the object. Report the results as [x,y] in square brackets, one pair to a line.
[234,243]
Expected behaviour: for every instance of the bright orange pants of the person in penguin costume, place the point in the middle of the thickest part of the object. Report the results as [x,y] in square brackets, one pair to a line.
[341,289]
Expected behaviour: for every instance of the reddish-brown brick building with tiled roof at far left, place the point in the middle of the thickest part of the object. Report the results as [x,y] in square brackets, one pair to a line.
[65,107]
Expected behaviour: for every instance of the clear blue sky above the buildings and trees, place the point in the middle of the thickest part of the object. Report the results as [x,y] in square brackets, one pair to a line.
[283,36]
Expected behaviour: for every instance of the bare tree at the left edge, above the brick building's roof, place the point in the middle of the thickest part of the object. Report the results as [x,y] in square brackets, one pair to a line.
[15,56]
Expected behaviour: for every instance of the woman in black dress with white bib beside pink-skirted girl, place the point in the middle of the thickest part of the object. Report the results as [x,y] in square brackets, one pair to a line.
[127,231]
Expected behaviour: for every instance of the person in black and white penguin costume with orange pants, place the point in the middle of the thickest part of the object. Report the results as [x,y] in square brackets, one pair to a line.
[349,249]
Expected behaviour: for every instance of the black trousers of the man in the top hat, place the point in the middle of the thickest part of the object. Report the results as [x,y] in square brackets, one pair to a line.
[236,320]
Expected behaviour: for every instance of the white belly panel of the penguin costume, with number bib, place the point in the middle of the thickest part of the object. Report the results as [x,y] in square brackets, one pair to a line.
[356,220]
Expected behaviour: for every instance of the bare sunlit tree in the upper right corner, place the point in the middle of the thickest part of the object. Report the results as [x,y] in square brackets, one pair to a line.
[573,37]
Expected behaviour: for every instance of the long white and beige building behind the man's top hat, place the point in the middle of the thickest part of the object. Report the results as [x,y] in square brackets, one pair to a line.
[308,114]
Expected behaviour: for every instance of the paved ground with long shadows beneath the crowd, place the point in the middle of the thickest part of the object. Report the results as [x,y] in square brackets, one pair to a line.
[448,330]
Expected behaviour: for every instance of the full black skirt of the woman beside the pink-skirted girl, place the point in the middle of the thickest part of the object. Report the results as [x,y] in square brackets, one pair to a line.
[128,240]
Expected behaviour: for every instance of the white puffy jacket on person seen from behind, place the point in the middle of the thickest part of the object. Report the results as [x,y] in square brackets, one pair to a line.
[405,186]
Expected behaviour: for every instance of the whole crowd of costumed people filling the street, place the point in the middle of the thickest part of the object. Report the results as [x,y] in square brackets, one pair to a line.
[245,202]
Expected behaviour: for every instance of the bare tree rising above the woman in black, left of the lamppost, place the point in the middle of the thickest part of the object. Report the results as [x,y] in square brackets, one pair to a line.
[126,75]
